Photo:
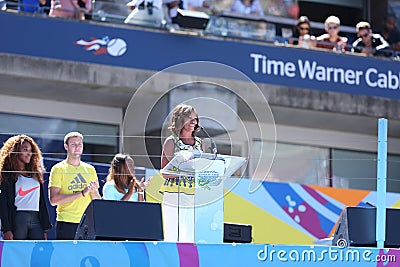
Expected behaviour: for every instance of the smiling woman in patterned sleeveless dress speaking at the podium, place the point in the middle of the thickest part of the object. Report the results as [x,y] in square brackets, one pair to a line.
[178,191]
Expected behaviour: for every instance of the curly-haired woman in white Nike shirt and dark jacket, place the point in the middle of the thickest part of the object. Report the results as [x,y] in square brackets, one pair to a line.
[23,210]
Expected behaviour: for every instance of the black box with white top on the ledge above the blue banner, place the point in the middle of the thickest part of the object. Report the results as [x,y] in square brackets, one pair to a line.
[191,19]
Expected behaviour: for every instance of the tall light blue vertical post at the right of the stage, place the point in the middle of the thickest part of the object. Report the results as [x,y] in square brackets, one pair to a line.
[381,183]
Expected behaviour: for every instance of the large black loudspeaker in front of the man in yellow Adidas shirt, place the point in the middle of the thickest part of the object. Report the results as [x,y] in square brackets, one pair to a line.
[120,221]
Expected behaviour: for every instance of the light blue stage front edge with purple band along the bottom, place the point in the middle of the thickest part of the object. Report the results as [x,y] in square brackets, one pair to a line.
[160,254]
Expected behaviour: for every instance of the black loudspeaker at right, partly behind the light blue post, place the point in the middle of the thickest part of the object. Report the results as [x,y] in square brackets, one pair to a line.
[357,228]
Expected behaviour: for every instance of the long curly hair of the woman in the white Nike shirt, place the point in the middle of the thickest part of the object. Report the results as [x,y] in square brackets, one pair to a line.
[9,154]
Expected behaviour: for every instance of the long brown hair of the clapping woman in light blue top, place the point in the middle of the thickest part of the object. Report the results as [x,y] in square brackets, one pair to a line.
[119,172]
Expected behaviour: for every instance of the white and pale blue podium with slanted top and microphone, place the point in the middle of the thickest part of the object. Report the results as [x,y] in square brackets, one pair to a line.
[205,214]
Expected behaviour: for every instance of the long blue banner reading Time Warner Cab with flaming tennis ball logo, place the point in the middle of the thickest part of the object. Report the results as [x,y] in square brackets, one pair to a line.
[156,50]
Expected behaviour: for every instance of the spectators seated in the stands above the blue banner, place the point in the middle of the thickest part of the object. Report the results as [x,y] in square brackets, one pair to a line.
[383,42]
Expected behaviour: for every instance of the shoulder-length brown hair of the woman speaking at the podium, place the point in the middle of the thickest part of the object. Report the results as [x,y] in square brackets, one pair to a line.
[178,119]
